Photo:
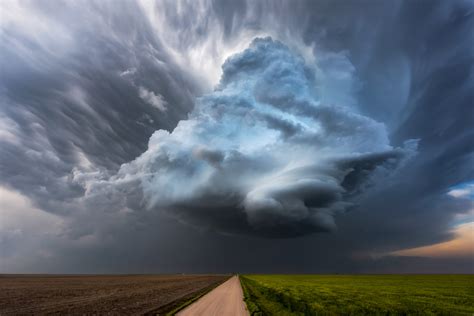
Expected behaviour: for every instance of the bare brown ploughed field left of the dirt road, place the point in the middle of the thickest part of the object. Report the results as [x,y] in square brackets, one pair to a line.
[124,294]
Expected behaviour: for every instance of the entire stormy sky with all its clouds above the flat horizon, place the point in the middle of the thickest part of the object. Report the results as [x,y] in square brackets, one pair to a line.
[236,136]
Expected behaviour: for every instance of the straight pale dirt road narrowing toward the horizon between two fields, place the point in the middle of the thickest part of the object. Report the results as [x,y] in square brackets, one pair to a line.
[226,299]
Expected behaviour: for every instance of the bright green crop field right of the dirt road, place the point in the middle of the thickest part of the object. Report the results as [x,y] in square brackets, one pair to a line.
[359,294]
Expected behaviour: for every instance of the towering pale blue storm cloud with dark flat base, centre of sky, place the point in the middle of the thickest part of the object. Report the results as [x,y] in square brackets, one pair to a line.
[260,154]
